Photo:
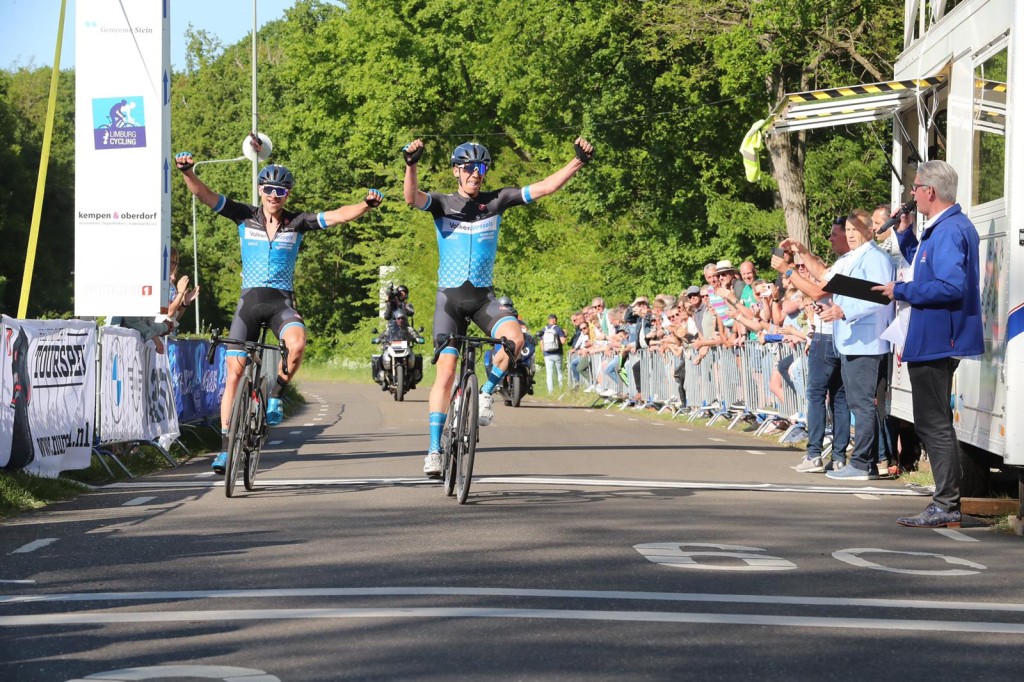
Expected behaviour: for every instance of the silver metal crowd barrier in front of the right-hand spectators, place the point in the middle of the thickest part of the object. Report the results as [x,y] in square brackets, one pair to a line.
[734,385]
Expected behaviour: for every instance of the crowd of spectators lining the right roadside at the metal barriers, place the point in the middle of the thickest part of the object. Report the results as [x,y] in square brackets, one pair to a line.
[835,362]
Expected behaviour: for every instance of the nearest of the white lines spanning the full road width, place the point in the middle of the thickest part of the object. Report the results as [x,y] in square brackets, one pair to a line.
[435,614]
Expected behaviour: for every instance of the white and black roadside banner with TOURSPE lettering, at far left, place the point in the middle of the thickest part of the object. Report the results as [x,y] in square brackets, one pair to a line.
[49,396]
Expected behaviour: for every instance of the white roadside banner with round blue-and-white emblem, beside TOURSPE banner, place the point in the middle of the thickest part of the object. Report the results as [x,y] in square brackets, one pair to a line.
[137,399]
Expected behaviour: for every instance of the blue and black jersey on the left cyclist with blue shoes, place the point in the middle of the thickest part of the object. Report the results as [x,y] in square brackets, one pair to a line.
[266,263]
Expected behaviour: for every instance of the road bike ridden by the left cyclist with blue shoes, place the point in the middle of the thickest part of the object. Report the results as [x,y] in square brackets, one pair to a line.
[248,428]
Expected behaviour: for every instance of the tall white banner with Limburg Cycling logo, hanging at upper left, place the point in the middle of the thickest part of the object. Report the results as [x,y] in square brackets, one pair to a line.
[123,163]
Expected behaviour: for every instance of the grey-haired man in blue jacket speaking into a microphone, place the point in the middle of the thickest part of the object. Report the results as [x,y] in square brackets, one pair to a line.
[943,288]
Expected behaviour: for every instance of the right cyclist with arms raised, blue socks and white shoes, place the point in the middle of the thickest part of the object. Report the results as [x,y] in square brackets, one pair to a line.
[468,223]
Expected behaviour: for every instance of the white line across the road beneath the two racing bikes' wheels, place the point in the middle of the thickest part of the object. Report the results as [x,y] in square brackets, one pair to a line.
[540,481]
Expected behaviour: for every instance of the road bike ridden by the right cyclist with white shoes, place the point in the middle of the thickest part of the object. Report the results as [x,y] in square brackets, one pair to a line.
[461,432]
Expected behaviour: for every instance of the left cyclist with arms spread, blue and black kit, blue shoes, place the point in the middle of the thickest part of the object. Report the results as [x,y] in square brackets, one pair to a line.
[271,238]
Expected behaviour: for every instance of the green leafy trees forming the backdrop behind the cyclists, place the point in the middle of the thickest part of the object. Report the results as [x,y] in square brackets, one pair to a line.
[665,90]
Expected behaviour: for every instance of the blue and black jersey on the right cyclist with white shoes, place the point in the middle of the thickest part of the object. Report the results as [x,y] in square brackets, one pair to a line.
[467,234]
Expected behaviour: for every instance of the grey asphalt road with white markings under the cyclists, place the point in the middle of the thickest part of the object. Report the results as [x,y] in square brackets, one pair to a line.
[596,545]
